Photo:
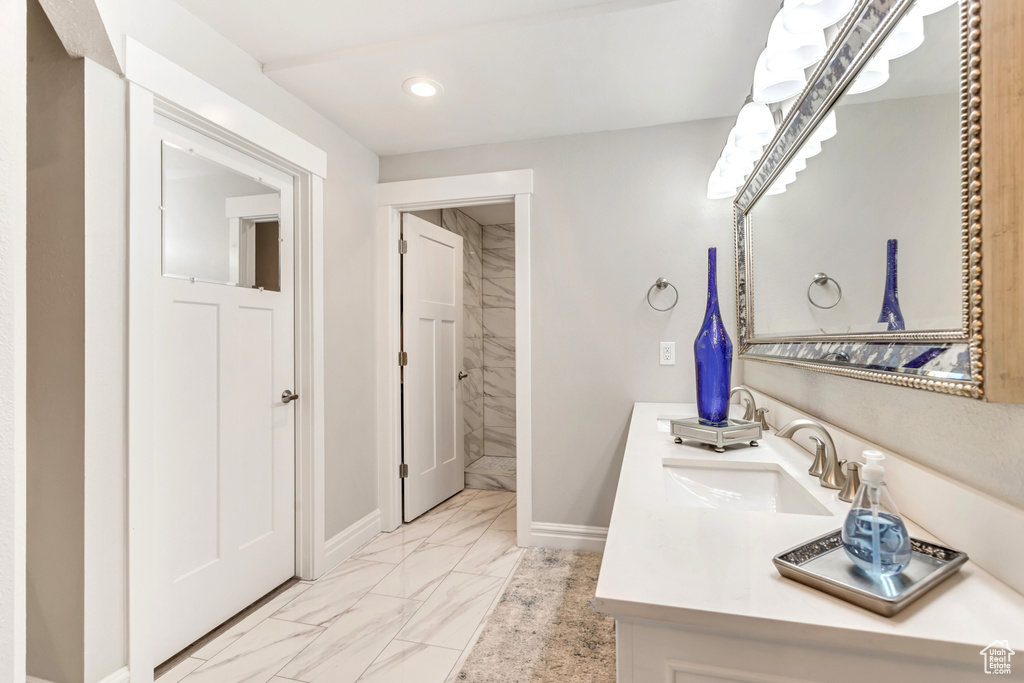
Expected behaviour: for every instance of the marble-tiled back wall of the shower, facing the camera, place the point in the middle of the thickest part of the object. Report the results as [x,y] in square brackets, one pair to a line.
[499,341]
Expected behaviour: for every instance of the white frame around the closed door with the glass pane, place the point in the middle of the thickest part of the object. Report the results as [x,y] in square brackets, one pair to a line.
[159,87]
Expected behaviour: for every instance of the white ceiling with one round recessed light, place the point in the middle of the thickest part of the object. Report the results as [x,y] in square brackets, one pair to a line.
[511,69]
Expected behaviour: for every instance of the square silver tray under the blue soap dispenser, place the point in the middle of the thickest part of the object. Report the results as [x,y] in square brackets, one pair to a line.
[823,564]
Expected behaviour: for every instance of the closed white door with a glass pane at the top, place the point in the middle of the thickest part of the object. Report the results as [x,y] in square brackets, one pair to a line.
[224,474]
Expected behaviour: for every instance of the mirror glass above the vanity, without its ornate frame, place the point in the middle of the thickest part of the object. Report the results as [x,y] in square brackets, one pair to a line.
[863,232]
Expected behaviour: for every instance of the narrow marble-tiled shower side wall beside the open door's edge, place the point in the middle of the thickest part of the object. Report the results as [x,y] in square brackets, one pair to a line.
[473,300]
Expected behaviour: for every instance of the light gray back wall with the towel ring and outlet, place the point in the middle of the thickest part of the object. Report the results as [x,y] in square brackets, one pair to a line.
[612,212]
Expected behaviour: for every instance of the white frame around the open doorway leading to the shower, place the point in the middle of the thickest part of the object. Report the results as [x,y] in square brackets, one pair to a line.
[393,199]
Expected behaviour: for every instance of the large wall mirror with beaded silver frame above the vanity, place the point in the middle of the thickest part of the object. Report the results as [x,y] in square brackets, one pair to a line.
[851,230]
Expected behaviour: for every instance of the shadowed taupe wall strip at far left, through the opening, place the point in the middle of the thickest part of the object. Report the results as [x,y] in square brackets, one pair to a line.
[56,398]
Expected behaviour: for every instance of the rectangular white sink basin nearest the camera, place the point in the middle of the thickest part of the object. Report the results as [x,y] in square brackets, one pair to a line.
[737,486]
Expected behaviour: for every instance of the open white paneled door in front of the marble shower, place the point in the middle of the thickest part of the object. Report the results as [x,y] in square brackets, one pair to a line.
[432,328]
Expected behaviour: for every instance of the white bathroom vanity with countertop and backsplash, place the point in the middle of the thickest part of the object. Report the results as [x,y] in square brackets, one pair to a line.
[696,597]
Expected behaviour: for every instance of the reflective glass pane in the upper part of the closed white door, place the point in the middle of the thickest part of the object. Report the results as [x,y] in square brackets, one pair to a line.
[220,226]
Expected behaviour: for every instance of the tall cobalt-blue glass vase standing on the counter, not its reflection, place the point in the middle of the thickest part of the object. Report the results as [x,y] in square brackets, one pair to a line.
[713,353]
